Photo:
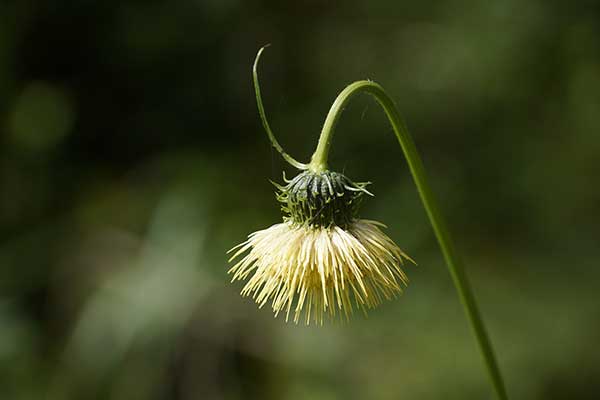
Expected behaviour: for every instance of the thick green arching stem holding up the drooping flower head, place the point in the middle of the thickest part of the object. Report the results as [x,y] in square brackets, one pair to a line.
[455,266]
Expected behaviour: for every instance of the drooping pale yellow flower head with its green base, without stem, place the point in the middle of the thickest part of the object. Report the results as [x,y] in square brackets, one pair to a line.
[322,258]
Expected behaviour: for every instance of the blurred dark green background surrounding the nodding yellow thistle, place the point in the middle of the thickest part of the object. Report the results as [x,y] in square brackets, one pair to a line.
[132,158]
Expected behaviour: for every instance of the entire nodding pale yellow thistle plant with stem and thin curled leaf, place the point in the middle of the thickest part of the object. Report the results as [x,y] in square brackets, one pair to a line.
[323,257]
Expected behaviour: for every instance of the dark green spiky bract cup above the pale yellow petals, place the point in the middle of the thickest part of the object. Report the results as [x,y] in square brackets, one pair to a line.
[321,199]
